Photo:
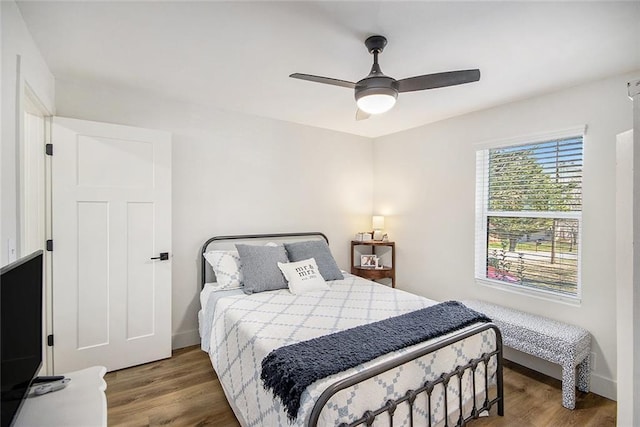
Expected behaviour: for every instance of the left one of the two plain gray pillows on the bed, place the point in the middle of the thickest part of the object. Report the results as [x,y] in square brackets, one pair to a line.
[260,267]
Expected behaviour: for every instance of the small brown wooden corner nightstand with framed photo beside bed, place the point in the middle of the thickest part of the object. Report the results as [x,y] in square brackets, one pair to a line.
[378,248]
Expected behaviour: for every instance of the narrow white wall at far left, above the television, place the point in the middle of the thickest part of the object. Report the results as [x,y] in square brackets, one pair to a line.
[22,64]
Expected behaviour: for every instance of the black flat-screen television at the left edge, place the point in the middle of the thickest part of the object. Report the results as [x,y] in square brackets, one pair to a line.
[21,337]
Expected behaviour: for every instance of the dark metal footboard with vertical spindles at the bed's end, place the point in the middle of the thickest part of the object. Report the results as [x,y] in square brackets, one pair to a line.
[457,374]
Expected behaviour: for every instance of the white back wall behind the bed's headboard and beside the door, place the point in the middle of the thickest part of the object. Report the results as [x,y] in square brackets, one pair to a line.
[237,174]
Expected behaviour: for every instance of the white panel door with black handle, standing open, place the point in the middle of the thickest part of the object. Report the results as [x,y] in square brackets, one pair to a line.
[111,213]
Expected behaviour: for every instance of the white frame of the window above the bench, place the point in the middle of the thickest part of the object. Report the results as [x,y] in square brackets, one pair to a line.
[482,214]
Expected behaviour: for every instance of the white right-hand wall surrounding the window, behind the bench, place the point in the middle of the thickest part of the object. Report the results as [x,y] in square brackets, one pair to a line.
[425,185]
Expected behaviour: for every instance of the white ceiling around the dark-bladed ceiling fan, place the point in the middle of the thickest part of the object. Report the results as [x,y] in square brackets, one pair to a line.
[238,55]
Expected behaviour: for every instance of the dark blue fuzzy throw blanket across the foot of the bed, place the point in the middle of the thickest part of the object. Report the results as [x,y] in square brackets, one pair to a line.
[289,370]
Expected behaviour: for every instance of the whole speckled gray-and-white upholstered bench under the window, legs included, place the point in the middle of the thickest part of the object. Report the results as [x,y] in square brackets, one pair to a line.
[557,342]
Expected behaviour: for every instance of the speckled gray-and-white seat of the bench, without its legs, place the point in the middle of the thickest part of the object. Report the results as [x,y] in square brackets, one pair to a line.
[546,338]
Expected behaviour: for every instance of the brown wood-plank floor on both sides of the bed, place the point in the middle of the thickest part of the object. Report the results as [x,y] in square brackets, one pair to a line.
[184,391]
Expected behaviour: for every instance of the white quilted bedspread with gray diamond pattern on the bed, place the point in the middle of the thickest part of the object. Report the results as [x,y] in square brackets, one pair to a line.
[247,327]
